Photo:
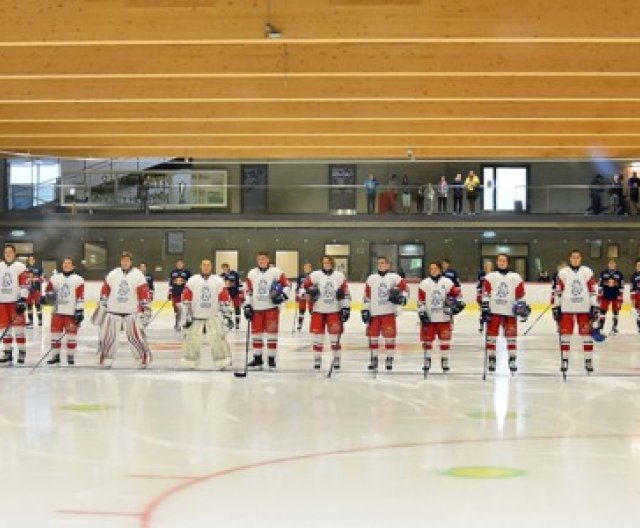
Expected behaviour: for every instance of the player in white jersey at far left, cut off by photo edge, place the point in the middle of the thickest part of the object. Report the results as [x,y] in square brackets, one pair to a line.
[14,290]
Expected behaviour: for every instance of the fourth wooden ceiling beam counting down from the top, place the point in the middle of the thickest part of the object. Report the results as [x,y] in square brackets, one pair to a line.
[309,111]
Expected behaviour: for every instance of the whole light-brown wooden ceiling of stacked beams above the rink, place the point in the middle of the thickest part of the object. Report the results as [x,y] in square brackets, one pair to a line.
[355,79]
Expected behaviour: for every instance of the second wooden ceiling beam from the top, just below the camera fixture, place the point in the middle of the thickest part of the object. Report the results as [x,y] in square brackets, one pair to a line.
[291,59]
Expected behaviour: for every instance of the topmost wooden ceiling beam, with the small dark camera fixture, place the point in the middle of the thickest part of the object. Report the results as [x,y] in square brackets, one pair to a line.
[233,19]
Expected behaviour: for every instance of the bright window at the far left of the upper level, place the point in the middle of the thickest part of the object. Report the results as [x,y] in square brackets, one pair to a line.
[32,183]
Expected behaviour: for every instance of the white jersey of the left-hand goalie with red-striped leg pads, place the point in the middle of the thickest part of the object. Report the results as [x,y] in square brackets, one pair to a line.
[125,291]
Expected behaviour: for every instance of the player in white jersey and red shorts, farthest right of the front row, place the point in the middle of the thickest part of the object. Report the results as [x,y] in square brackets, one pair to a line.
[576,302]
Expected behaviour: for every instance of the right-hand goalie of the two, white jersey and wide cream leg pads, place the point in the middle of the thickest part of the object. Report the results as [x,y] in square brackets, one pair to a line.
[202,298]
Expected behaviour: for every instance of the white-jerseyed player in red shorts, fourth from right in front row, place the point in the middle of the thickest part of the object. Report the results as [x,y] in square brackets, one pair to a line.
[384,293]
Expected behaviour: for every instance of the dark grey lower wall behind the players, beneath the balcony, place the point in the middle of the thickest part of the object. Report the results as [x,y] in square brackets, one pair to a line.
[462,245]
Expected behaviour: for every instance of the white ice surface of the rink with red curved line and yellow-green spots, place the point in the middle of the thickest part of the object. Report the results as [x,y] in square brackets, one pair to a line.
[166,448]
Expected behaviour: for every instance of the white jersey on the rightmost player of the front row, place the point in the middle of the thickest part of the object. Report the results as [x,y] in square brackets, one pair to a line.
[576,290]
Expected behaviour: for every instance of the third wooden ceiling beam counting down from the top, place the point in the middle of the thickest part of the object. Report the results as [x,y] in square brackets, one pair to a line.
[509,88]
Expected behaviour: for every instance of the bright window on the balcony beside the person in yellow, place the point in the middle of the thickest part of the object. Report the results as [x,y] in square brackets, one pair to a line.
[505,188]
